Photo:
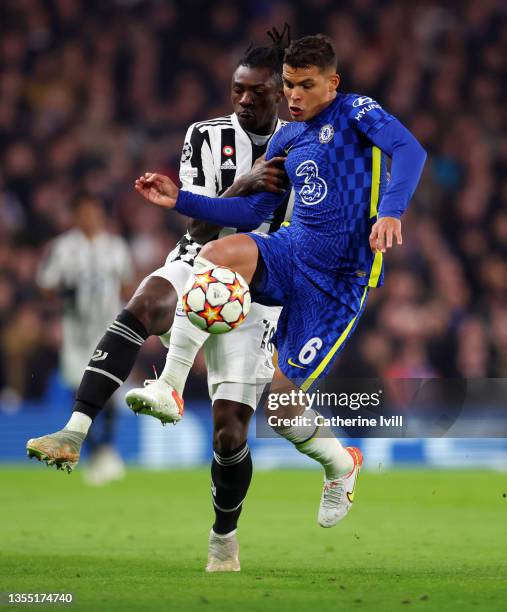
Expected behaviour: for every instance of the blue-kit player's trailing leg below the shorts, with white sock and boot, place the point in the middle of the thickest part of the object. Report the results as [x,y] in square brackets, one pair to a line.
[341,465]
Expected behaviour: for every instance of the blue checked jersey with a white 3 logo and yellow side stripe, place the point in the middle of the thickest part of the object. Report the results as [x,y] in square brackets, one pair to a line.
[338,176]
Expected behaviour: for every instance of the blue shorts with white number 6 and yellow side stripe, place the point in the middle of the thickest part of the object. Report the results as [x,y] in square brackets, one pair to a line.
[314,324]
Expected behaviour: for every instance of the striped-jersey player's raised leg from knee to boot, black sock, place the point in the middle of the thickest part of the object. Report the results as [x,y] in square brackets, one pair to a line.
[149,312]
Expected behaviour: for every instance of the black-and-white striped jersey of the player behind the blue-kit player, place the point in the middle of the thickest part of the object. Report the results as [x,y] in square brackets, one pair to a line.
[216,152]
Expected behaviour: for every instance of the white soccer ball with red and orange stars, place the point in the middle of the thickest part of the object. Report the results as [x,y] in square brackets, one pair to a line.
[217,300]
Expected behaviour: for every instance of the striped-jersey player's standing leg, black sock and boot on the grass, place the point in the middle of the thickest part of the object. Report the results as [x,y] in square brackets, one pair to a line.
[231,473]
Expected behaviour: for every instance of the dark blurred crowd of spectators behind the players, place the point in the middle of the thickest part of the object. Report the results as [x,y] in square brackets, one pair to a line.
[95,92]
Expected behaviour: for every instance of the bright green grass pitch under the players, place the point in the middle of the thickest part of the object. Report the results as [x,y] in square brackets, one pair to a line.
[415,540]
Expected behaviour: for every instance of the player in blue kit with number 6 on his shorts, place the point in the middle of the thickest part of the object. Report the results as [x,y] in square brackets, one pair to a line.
[320,268]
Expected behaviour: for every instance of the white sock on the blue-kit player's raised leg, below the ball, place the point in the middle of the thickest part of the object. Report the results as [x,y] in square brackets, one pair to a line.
[186,340]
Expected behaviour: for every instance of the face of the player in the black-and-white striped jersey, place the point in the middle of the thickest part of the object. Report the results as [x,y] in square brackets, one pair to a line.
[255,97]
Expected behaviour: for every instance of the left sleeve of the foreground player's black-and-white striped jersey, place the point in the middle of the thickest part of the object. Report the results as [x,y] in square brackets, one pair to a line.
[197,171]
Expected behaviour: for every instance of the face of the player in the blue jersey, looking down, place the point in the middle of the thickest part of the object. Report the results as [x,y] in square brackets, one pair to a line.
[308,90]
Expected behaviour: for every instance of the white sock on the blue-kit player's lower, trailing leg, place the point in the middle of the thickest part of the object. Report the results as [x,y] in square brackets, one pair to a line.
[322,446]
